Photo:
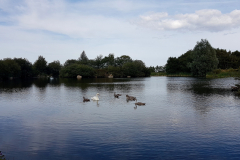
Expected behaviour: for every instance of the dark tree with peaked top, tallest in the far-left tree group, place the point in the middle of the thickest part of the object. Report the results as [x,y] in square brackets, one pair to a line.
[40,65]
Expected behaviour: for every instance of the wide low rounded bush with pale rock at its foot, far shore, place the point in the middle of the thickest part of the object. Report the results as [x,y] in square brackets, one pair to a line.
[73,70]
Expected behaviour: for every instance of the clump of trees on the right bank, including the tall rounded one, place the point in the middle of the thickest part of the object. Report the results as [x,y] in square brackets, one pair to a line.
[202,59]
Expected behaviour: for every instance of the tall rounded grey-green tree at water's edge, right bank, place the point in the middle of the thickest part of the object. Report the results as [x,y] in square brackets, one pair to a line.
[204,58]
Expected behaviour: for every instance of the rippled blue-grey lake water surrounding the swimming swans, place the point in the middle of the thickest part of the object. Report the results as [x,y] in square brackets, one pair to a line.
[184,118]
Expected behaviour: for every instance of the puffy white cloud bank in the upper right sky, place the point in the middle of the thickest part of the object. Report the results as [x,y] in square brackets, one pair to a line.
[202,20]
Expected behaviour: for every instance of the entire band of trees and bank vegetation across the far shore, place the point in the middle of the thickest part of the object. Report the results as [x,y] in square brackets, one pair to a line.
[202,61]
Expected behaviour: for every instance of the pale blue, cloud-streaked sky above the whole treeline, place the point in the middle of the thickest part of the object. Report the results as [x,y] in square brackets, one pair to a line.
[147,30]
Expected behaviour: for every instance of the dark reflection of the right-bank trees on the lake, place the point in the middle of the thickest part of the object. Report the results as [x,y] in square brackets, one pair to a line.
[198,93]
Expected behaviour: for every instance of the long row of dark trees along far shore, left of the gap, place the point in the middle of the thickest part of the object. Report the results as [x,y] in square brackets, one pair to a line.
[122,66]
